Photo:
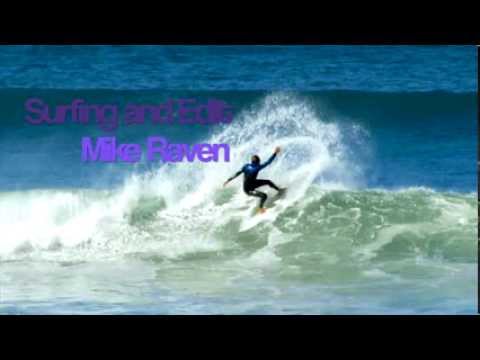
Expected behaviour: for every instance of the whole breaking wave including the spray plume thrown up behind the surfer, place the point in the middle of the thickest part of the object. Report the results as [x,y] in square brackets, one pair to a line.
[180,212]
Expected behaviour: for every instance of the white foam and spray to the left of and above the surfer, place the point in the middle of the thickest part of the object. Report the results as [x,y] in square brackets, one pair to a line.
[51,222]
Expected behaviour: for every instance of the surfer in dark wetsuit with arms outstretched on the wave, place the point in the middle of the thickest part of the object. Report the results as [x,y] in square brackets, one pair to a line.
[250,181]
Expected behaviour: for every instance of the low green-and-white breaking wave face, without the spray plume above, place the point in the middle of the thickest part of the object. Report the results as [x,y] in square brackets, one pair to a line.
[323,225]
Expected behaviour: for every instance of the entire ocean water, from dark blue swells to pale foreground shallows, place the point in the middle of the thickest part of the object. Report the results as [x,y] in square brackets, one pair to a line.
[379,149]
